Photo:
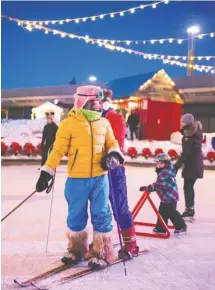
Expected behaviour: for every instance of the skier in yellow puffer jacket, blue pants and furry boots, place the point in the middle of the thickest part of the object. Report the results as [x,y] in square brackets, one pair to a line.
[88,140]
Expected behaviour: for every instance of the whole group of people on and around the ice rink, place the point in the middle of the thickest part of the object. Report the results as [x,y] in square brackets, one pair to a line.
[93,137]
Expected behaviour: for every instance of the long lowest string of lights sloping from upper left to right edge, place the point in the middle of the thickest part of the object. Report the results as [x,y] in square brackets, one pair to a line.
[167,59]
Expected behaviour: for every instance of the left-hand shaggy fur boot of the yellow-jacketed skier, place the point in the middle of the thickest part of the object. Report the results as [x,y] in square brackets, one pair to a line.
[77,248]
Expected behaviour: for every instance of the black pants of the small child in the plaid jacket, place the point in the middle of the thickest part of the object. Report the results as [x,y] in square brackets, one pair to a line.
[168,211]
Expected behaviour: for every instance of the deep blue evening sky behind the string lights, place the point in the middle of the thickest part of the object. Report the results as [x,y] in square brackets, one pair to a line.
[33,59]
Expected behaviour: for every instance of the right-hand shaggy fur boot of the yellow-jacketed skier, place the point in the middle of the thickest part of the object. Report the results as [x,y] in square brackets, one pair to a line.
[102,251]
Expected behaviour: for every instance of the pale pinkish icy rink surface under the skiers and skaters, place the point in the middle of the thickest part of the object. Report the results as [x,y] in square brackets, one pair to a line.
[185,262]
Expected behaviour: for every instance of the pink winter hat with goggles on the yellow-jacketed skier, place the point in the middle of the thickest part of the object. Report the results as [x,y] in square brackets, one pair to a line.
[85,94]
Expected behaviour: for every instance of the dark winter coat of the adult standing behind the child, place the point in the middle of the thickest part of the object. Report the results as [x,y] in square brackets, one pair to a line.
[191,156]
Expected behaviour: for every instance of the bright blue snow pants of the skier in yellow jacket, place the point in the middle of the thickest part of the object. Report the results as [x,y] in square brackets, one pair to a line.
[77,193]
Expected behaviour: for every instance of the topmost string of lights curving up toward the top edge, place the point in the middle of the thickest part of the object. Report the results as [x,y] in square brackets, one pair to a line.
[109,15]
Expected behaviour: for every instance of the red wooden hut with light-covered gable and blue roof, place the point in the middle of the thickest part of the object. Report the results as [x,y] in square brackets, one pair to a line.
[156,100]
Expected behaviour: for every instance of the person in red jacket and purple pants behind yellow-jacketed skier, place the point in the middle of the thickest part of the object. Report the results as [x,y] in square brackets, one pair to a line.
[117,182]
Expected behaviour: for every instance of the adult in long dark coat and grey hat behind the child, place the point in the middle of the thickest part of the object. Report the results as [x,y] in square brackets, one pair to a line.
[191,158]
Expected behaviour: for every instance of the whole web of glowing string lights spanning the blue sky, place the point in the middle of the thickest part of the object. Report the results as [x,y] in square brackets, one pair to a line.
[111,44]
